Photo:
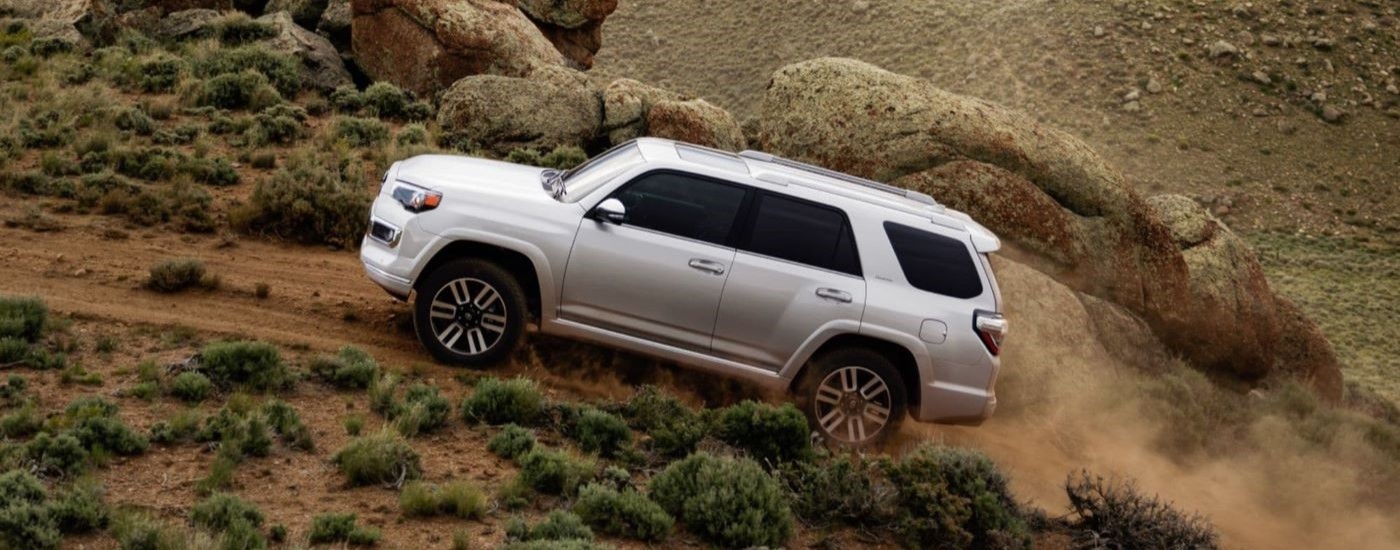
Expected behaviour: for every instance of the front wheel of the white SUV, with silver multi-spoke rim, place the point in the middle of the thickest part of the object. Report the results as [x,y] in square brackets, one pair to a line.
[478,331]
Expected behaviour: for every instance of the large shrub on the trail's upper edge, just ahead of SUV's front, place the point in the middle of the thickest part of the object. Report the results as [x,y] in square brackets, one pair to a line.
[307,202]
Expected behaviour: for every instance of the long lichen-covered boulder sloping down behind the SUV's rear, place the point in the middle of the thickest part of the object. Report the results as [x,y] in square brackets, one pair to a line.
[1049,195]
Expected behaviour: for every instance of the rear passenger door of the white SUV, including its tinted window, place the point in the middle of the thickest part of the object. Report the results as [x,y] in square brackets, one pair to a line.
[797,271]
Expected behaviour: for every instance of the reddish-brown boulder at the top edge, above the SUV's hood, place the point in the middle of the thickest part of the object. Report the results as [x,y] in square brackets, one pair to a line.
[426,45]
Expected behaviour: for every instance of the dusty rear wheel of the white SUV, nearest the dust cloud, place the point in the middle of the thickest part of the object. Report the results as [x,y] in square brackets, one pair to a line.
[825,394]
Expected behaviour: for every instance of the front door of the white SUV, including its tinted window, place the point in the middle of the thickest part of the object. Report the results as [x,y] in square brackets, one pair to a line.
[660,274]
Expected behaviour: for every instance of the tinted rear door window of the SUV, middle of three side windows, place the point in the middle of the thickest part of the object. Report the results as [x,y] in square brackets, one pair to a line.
[804,233]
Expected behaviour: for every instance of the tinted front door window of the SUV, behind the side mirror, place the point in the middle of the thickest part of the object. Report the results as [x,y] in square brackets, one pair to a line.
[692,208]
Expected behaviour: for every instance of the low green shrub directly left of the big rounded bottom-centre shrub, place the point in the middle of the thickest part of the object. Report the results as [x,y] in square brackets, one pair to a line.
[628,514]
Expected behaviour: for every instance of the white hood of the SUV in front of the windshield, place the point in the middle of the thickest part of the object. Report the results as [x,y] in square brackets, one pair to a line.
[456,174]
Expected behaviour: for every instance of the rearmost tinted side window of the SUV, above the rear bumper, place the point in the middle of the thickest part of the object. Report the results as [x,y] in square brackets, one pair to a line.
[934,264]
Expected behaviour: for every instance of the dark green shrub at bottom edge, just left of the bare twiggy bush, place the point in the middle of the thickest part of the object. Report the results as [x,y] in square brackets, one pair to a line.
[955,496]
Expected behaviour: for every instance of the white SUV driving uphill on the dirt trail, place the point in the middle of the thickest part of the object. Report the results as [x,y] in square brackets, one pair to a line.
[864,300]
